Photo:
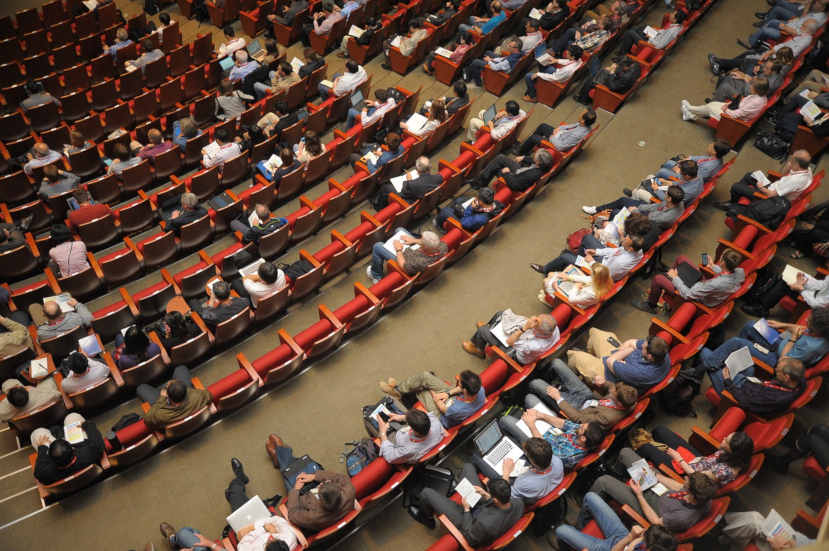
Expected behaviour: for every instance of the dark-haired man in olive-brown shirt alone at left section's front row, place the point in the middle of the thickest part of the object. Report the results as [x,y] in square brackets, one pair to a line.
[173,401]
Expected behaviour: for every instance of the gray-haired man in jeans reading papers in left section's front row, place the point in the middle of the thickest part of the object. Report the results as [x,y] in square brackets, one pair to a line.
[413,255]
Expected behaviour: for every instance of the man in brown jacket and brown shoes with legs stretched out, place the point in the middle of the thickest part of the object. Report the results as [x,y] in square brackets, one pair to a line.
[332,499]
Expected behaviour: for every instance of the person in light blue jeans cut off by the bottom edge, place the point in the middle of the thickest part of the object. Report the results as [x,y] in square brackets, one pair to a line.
[654,538]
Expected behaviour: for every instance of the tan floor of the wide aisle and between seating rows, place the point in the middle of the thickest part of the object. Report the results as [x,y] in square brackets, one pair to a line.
[319,410]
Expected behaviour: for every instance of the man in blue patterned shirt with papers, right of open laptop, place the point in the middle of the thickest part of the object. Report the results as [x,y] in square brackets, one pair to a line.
[571,442]
